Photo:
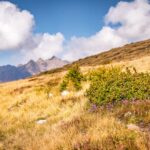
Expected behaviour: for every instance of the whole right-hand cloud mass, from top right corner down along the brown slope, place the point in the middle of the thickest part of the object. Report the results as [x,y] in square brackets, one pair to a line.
[124,23]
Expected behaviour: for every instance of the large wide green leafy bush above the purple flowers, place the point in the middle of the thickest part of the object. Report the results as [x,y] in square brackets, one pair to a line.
[112,85]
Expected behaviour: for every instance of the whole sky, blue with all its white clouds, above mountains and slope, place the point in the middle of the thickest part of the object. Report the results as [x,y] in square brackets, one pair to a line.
[69,29]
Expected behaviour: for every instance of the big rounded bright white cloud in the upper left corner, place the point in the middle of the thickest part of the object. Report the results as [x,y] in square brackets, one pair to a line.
[15,26]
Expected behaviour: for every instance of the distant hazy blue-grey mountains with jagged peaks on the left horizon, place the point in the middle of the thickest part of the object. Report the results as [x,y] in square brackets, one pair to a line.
[10,73]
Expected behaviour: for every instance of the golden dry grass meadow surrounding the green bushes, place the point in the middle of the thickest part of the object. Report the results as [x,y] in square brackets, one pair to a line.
[35,116]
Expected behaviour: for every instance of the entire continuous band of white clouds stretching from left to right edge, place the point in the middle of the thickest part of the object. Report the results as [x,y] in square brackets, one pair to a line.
[124,23]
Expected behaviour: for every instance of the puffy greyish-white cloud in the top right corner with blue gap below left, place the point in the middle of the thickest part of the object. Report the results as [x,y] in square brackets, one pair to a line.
[134,19]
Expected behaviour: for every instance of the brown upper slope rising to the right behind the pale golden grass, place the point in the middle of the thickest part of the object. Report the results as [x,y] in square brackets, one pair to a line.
[126,53]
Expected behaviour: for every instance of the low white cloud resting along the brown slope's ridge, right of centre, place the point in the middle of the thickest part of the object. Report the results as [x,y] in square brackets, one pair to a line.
[101,41]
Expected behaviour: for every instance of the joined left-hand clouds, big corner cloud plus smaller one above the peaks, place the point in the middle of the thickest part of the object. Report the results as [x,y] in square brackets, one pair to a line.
[16,33]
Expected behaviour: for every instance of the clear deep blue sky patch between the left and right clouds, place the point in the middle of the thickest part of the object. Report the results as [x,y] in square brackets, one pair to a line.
[70,17]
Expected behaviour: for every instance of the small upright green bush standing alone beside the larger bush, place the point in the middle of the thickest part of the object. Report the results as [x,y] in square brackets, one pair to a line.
[74,76]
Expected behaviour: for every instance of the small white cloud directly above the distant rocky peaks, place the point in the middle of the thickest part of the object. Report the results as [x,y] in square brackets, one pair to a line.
[43,46]
